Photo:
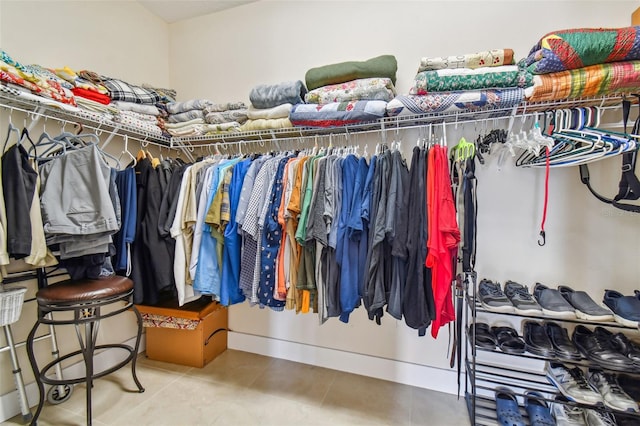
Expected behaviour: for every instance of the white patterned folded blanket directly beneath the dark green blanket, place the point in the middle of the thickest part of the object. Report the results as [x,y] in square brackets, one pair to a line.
[379,89]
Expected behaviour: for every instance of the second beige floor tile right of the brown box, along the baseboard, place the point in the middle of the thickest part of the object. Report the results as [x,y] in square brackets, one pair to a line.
[298,382]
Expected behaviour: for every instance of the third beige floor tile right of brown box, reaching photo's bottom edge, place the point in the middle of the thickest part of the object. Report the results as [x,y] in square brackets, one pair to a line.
[368,398]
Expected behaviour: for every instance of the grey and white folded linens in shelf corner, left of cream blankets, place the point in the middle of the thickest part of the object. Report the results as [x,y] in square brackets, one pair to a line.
[189,118]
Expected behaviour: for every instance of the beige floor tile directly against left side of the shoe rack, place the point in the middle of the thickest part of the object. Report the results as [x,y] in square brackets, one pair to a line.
[437,409]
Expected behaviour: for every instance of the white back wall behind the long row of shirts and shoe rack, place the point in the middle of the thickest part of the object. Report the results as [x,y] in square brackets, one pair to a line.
[590,246]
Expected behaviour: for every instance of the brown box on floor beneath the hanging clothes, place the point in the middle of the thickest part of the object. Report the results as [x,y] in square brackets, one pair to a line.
[195,348]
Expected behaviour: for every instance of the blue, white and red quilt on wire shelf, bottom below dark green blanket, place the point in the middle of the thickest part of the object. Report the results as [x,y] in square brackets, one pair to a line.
[337,113]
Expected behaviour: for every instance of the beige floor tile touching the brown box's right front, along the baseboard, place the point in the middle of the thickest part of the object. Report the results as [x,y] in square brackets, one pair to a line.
[233,368]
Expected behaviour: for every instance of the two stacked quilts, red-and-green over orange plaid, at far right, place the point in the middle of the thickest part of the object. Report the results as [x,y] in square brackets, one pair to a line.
[584,62]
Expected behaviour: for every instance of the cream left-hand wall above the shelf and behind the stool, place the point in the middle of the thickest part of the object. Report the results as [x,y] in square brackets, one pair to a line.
[115,38]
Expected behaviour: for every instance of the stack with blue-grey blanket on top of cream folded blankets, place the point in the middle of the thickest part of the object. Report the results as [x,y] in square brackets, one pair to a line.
[271,105]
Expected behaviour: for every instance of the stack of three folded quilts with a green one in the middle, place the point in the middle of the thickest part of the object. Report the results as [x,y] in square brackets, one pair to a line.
[487,79]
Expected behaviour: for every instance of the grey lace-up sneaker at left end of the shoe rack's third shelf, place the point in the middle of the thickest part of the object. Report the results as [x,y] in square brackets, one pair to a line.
[572,384]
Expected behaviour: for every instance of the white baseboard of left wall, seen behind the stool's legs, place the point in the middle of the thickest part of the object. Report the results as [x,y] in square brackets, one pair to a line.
[10,402]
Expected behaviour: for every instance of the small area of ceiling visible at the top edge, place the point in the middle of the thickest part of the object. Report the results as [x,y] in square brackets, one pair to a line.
[177,10]
